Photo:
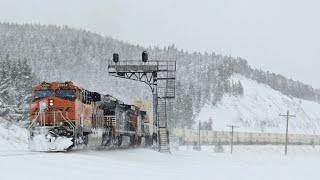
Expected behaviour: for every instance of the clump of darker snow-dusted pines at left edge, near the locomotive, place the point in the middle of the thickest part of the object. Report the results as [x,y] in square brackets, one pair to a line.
[16,83]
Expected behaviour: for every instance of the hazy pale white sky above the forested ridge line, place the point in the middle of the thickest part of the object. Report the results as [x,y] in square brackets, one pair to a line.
[282,36]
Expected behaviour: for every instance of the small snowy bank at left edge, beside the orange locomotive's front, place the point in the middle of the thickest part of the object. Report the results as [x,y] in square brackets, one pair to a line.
[12,137]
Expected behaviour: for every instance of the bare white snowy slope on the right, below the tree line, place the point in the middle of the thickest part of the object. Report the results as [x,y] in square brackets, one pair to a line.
[259,108]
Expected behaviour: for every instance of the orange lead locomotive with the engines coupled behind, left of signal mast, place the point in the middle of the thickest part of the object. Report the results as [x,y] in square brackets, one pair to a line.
[64,116]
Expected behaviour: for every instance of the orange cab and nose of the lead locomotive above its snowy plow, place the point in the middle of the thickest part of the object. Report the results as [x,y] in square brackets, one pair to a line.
[54,104]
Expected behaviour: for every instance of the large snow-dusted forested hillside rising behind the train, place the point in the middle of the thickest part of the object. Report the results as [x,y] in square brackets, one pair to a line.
[56,53]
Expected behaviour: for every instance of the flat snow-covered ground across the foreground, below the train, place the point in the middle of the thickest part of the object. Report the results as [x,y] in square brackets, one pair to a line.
[247,162]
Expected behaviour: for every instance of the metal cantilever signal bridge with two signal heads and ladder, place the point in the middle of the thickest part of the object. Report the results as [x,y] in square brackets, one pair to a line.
[160,76]
